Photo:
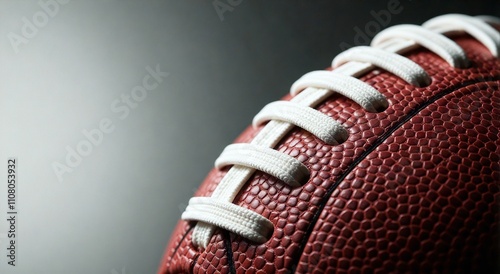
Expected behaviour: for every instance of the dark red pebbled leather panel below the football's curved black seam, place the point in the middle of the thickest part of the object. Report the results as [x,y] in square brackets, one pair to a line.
[426,200]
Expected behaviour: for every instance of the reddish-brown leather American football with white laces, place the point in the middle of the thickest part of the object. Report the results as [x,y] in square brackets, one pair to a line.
[387,161]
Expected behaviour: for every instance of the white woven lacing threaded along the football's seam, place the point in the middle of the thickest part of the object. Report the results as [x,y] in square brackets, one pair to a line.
[310,90]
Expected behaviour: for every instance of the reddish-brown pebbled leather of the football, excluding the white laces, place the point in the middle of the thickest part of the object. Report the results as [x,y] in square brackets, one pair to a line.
[415,188]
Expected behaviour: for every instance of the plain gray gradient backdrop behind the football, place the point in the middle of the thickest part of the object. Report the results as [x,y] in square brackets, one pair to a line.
[115,211]
